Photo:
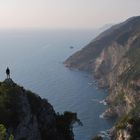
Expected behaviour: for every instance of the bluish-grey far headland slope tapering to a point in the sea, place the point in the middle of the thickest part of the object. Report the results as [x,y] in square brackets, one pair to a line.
[114,38]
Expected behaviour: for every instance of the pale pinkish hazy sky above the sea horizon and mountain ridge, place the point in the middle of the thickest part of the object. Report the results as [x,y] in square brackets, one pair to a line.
[65,13]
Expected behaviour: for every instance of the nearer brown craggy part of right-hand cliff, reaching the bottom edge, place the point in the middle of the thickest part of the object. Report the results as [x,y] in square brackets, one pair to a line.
[124,95]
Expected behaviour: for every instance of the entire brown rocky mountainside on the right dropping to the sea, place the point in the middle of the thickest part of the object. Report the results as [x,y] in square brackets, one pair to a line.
[114,59]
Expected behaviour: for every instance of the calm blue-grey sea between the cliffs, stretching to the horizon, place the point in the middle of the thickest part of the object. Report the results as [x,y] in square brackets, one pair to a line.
[35,58]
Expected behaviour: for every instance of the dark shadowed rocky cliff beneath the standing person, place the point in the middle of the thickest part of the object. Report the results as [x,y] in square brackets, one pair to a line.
[28,117]
